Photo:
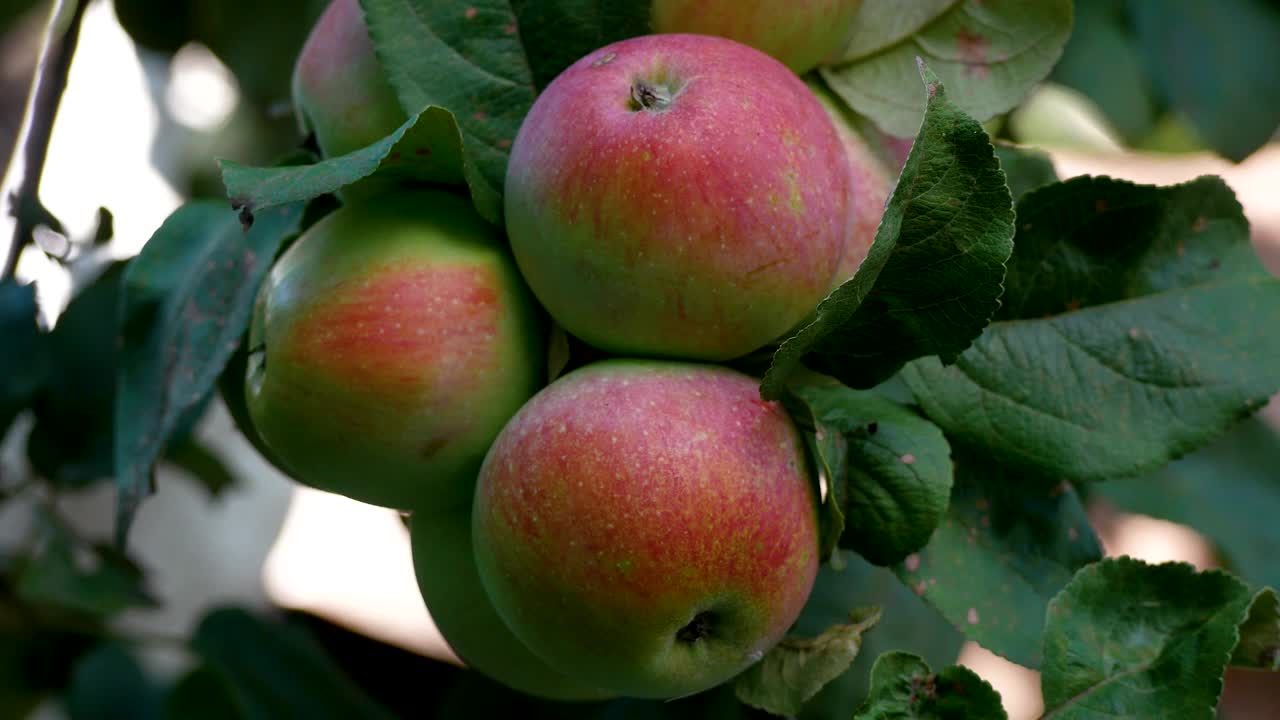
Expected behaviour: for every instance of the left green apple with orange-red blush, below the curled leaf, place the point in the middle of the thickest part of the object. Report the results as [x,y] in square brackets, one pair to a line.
[388,348]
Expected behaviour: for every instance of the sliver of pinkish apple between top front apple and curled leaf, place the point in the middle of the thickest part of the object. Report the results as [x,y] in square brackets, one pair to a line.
[874,181]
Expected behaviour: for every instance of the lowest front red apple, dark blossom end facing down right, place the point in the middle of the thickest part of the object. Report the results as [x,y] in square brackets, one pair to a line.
[648,527]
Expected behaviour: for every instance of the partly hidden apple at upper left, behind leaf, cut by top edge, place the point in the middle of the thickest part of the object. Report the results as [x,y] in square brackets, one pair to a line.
[340,89]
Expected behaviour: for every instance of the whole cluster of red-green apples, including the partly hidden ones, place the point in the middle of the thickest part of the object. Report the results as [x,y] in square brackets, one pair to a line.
[646,525]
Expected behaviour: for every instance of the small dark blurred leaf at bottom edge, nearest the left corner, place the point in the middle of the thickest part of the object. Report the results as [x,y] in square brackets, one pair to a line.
[109,685]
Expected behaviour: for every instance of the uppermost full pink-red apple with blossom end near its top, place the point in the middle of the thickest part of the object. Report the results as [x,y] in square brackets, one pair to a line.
[678,195]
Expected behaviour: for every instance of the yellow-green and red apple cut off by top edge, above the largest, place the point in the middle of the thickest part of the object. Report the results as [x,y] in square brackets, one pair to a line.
[802,34]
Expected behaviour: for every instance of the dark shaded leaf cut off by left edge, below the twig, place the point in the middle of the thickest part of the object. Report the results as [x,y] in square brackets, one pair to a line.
[24,364]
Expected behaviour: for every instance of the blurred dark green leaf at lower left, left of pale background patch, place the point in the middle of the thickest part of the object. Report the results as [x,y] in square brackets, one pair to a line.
[97,581]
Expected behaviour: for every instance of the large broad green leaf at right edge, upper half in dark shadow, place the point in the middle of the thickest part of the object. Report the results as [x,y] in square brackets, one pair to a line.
[1150,348]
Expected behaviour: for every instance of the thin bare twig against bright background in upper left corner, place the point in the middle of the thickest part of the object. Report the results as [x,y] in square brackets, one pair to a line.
[62,35]
